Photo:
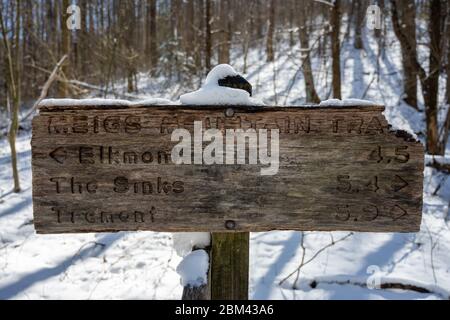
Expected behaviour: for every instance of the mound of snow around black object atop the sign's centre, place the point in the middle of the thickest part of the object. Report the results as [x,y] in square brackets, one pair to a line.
[213,94]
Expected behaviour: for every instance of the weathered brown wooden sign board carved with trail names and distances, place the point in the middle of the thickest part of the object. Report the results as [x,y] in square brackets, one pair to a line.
[108,168]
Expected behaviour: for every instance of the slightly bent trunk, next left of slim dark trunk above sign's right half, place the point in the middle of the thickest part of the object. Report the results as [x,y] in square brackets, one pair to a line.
[311,94]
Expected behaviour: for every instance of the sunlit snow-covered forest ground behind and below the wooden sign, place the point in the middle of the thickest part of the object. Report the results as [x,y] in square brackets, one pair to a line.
[337,265]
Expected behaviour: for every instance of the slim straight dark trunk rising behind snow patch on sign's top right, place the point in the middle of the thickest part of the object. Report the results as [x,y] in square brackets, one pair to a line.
[336,48]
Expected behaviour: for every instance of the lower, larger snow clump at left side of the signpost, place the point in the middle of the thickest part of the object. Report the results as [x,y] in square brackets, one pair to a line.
[193,269]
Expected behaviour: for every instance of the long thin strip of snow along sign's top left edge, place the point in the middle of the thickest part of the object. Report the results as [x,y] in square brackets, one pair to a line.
[102,102]
